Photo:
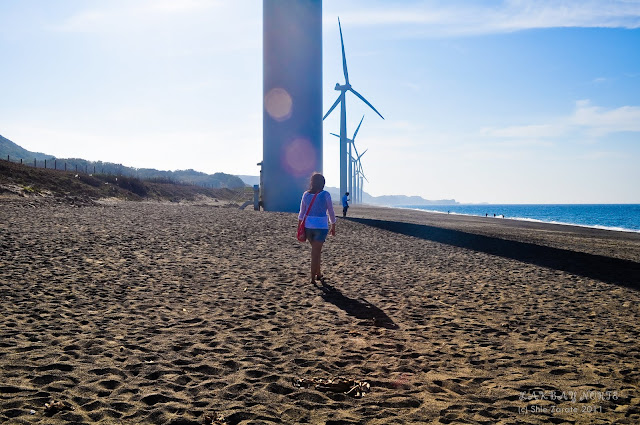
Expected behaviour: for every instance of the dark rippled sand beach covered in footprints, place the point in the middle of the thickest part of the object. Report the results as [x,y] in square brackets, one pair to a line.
[160,313]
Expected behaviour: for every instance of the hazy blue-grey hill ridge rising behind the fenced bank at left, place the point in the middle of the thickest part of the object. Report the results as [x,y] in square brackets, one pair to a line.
[15,153]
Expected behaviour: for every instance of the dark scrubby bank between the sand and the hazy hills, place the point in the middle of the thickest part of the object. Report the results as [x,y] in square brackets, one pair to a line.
[28,181]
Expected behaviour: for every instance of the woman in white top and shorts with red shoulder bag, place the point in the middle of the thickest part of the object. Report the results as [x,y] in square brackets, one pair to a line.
[315,204]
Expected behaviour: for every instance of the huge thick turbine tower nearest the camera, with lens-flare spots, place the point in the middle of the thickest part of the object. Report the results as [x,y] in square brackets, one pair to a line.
[292,100]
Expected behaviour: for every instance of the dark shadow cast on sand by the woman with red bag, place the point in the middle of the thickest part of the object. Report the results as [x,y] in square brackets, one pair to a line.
[360,309]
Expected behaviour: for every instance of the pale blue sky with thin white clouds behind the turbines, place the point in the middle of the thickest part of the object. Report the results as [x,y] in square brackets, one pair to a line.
[510,101]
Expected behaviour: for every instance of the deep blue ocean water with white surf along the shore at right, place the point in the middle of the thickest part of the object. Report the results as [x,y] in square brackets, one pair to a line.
[619,217]
